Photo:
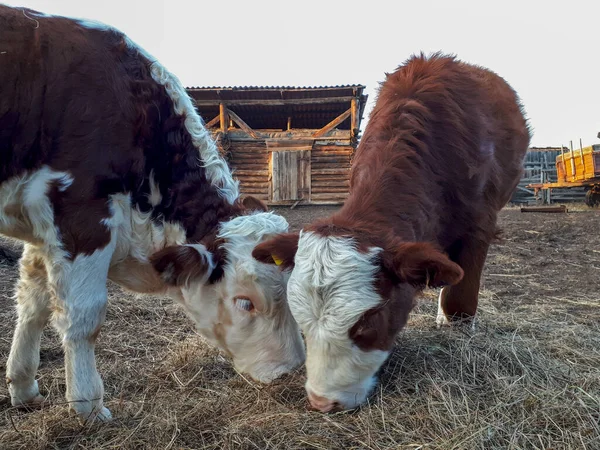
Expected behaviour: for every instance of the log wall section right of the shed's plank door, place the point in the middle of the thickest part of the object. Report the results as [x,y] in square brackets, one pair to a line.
[330,173]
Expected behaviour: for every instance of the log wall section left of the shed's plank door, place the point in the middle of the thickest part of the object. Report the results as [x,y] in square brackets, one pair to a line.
[250,164]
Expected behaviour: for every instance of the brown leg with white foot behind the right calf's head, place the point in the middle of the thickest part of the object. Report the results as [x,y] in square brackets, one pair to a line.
[458,303]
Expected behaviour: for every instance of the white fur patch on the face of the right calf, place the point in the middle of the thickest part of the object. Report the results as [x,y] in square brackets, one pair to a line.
[329,289]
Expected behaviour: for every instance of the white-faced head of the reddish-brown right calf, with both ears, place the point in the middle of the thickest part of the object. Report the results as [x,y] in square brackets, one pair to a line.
[351,298]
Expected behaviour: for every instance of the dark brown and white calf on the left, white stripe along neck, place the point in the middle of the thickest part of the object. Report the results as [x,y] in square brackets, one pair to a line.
[107,171]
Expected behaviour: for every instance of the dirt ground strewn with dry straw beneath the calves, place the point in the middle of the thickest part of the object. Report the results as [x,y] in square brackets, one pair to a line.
[527,377]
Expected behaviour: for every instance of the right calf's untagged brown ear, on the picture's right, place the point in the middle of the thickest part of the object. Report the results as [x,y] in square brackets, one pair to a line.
[421,264]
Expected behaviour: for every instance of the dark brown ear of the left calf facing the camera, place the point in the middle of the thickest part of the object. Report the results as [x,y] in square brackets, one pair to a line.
[181,264]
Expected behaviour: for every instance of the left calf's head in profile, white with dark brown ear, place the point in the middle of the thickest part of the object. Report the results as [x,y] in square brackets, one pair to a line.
[237,303]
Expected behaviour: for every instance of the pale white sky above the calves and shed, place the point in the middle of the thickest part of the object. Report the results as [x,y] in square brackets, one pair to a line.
[549,51]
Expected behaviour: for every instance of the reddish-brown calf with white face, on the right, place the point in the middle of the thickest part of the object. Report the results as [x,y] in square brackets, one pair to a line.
[441,155]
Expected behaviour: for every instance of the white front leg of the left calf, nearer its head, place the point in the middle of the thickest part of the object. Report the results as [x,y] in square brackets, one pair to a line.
[82,296]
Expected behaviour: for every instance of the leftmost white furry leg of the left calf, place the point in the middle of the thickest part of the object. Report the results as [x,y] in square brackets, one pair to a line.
[33,309]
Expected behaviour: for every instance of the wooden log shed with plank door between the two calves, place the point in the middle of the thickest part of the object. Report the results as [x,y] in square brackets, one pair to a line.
[286,144]
